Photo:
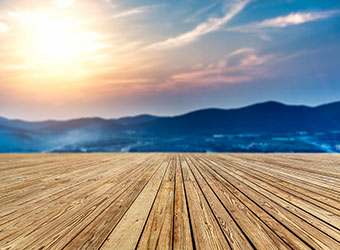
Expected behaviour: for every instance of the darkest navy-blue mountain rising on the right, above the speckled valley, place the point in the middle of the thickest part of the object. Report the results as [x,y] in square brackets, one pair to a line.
[271,117]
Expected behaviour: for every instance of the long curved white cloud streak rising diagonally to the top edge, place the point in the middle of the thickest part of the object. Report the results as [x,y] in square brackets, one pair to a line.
[212,24]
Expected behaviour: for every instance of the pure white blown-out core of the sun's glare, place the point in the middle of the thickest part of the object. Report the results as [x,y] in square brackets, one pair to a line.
[57,42]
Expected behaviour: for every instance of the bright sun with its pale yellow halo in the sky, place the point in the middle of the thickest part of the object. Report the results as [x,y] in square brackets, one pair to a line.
[59,47]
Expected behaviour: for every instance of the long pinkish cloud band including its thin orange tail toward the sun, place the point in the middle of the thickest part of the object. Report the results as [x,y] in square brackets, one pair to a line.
[240,66]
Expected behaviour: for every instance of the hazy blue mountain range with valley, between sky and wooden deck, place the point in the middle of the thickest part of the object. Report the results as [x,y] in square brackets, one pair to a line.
[263,127]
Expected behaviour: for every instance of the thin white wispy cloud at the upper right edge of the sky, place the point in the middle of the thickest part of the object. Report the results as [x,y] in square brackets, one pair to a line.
[284,21]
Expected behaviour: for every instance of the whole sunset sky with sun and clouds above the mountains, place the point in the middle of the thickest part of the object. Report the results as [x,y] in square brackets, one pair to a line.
[61,59]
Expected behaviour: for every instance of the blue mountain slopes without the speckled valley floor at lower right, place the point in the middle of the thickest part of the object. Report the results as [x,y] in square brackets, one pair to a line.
[115,134]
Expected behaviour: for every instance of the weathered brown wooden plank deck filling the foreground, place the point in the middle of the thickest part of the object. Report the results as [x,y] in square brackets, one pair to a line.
[170,201]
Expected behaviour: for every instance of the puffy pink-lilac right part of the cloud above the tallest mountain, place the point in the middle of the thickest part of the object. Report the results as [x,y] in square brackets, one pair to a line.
[244,65]
